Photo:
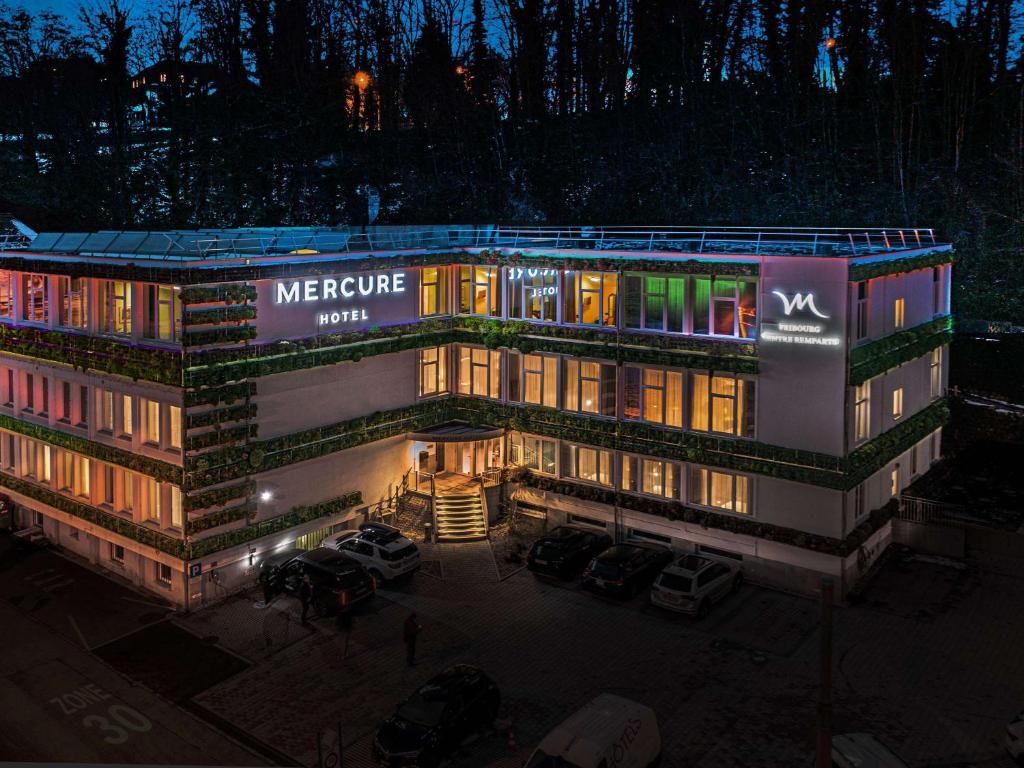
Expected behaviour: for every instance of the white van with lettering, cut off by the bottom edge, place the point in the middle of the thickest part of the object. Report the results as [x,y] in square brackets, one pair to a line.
[610,733]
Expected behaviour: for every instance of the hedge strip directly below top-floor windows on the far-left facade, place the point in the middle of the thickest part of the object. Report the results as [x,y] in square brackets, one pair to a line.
[95,354]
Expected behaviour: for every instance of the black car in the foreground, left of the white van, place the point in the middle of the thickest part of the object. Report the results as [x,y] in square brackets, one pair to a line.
[432,723]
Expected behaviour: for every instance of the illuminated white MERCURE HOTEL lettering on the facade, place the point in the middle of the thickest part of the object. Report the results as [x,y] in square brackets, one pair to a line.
[351,293]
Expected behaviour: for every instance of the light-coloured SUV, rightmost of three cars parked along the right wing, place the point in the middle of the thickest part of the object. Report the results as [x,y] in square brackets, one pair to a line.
[694,584]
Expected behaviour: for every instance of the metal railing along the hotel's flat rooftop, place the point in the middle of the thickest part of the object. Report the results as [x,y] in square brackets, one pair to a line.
[205,245]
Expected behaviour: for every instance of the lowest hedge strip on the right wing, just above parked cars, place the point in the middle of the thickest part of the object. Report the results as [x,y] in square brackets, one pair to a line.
[676,511]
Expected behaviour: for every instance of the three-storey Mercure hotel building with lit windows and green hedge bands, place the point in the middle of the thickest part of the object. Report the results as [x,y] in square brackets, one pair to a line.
[174,406]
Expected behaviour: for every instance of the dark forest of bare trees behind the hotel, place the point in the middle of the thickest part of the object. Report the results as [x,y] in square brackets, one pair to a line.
[804,113]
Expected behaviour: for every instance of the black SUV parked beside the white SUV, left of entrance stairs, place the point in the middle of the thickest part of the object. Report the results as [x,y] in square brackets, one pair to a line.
[338,582]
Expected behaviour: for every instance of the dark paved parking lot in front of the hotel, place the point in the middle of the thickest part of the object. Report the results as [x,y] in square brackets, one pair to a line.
[929,662]
